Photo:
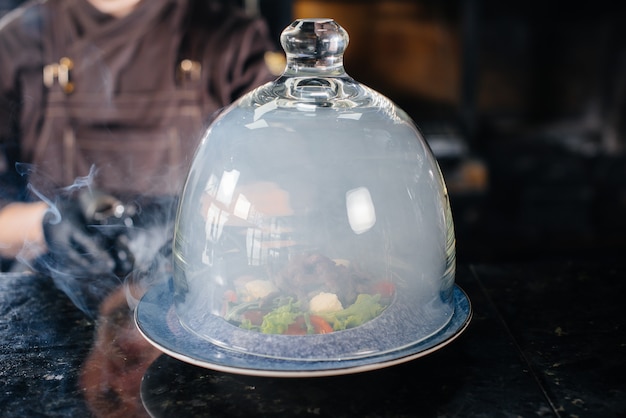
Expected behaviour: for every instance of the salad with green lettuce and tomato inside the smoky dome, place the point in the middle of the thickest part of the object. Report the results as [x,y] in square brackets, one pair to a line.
[313,294]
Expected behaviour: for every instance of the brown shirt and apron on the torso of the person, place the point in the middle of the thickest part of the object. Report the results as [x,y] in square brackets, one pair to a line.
[120,103]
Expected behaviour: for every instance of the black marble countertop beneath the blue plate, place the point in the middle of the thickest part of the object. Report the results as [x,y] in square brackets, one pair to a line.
[546,339]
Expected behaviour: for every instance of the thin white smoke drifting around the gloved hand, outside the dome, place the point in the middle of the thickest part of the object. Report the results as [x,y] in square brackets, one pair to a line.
[148,236]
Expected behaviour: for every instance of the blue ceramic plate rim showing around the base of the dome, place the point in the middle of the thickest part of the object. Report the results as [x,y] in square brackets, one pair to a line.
[156,319]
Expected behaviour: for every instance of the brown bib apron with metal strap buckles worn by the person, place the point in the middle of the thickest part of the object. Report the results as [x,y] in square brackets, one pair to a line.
[124,142]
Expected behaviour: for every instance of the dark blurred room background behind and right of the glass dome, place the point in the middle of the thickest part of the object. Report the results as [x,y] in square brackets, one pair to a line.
[522,102]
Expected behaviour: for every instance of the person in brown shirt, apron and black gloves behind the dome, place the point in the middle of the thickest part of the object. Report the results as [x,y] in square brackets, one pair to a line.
[102,104]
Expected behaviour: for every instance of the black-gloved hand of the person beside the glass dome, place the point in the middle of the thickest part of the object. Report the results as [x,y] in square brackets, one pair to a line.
[82,242]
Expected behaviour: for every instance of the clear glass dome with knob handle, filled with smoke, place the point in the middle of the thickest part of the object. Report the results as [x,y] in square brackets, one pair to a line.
[314,223]
